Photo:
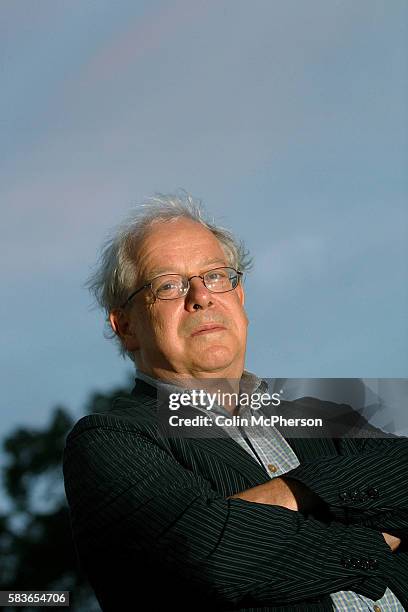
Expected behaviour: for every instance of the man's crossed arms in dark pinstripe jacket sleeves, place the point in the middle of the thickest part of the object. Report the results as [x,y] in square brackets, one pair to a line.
[126,490]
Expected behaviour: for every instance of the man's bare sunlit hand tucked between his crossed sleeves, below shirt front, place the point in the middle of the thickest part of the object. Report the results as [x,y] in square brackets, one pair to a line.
[286,492]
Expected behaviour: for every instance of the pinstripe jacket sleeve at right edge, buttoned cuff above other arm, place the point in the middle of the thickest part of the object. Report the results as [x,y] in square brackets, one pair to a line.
[365,483]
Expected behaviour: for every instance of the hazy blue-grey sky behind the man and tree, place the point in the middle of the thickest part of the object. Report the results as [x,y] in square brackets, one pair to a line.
[288,119]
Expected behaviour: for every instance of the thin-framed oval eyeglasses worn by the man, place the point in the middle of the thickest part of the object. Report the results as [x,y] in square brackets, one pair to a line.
[173,286]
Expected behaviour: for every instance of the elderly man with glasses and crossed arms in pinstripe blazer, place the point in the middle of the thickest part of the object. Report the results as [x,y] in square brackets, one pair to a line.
[240,519]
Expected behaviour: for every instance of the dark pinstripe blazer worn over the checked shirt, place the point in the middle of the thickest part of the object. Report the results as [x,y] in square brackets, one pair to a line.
[150,518]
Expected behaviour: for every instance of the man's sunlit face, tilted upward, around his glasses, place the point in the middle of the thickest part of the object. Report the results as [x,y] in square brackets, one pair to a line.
[164,333]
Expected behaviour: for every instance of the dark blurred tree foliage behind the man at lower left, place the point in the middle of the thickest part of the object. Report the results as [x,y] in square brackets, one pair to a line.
[36,547]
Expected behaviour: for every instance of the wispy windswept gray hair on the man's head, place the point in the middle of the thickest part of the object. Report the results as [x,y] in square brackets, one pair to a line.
[115,273]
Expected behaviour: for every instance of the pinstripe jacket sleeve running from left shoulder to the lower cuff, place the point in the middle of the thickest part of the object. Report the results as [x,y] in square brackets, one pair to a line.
[125,490]
